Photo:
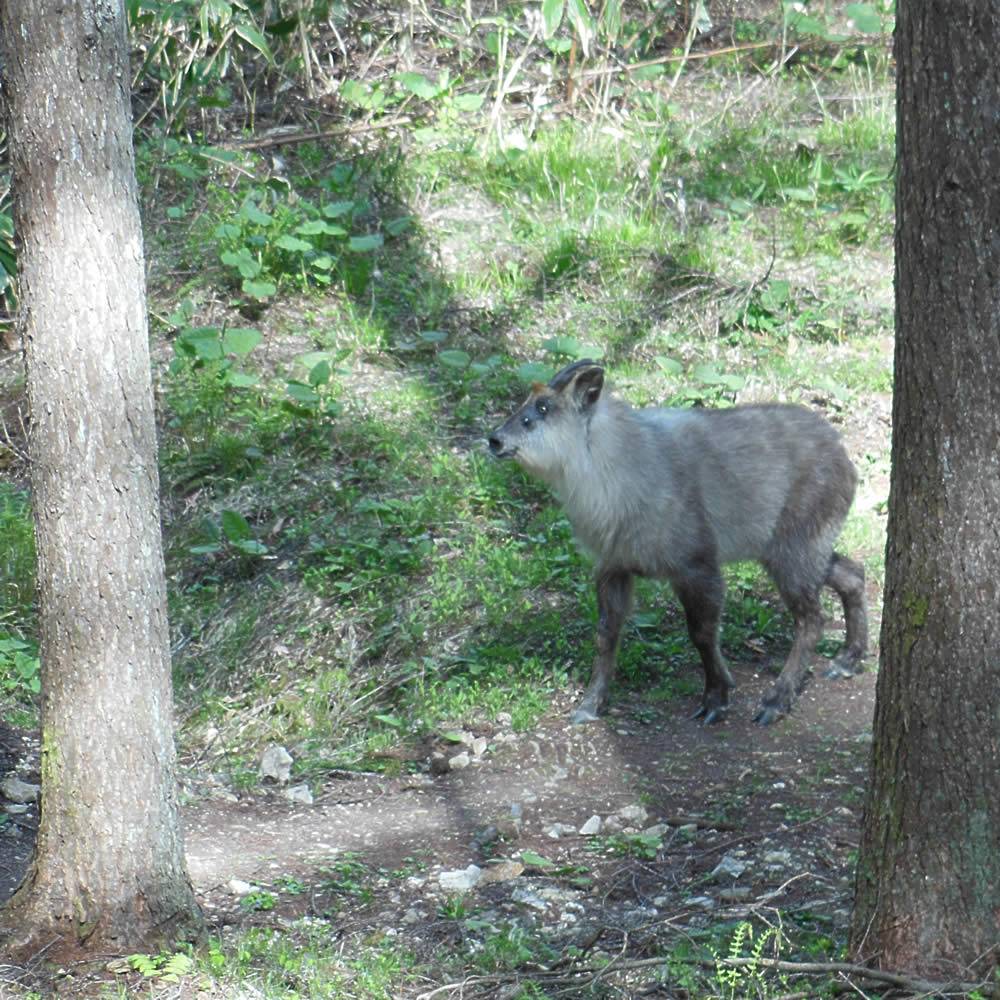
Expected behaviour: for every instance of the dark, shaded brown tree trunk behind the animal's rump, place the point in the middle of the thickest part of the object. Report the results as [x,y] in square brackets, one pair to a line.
[928,877]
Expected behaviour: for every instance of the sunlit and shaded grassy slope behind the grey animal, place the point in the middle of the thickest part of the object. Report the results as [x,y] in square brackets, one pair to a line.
[408,580]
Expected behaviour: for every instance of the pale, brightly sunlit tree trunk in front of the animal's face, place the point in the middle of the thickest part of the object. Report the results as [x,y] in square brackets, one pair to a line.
[108,871]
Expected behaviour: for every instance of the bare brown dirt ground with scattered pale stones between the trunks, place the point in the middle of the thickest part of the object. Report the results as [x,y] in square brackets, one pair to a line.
[373,854]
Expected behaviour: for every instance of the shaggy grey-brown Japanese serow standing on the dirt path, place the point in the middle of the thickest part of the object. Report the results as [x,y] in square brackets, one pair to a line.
[677,493]
